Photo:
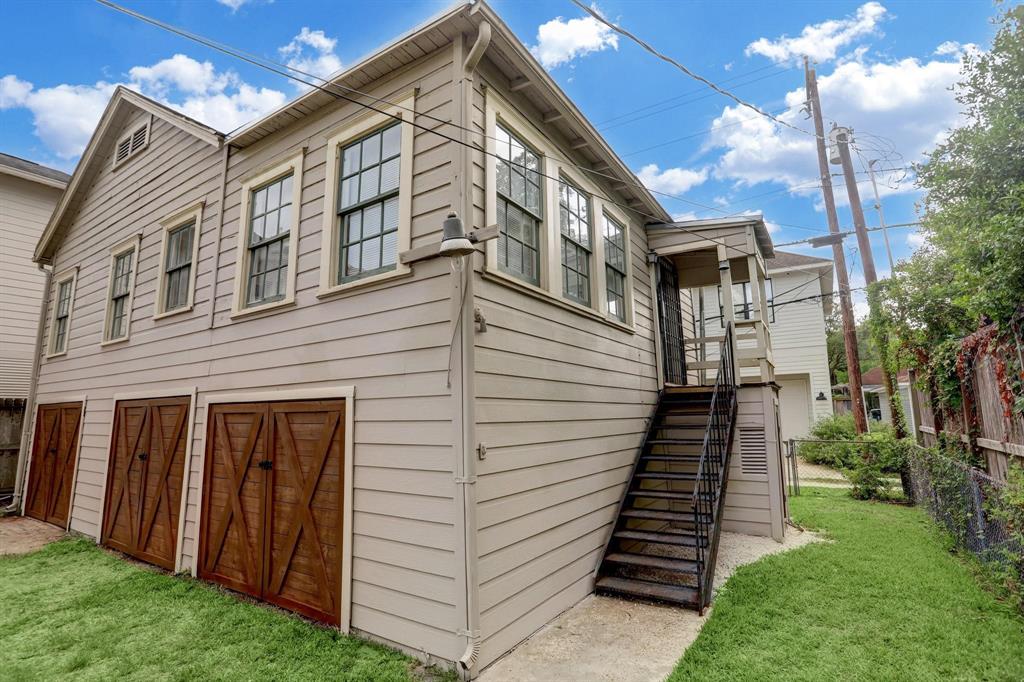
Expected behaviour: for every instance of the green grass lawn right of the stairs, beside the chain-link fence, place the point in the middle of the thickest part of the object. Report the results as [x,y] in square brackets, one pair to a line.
[884,601]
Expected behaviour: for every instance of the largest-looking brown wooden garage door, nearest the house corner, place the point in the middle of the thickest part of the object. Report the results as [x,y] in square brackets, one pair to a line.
[273,503]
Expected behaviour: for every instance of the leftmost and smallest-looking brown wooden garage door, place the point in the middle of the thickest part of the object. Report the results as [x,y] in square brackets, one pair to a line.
[53,465]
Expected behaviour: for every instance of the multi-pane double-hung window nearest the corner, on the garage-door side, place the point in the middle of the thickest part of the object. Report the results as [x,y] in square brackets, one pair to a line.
[368,208]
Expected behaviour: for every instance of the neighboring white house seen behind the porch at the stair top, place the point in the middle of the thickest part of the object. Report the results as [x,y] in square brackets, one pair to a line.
[799,292]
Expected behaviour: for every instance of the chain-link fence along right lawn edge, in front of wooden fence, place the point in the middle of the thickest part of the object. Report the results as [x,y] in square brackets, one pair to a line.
[968,503]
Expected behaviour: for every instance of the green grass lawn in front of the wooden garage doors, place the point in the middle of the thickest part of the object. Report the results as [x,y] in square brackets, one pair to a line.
[74,611]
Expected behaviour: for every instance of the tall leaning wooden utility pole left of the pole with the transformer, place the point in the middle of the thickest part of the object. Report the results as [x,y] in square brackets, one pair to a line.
[846,306]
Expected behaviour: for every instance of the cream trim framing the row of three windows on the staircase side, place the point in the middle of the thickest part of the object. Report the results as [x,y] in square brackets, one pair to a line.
[498,110]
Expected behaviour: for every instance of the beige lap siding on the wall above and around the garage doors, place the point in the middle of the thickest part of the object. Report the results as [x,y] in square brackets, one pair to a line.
[390,342]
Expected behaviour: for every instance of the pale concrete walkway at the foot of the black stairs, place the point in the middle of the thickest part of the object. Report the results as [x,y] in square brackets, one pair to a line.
[616,641]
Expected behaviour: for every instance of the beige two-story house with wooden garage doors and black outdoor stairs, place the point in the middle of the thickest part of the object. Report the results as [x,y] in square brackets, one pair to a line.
[261,370]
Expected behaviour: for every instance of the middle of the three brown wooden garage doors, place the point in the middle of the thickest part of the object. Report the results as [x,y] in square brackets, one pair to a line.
[144,479]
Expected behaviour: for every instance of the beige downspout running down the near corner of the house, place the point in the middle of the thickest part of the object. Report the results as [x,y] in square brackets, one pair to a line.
[467,476]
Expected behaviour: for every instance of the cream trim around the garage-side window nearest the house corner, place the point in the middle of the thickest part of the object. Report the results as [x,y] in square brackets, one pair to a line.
[331,233]
